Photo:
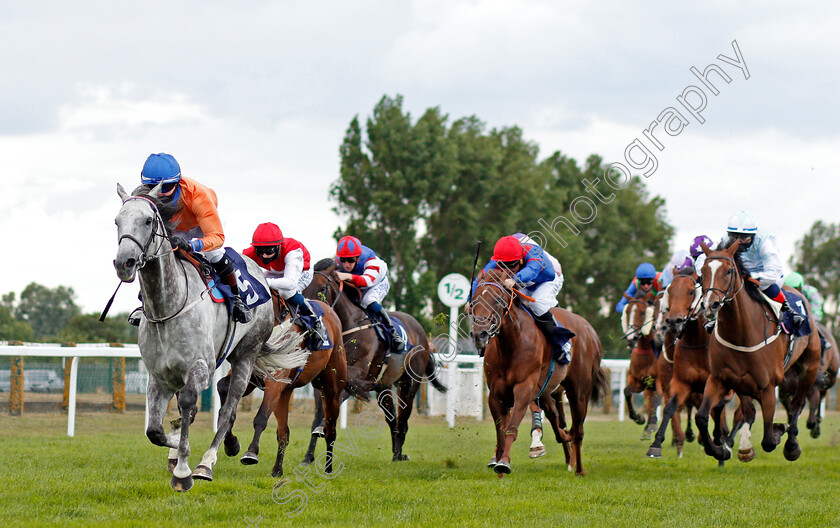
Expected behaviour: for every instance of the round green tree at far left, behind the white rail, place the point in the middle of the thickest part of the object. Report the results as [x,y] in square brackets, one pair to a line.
[46,310]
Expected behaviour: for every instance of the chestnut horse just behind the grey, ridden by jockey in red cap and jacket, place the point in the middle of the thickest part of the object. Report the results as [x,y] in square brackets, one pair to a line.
[326,369]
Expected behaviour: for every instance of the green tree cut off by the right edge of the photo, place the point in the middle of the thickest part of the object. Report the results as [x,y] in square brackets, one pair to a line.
[817,258]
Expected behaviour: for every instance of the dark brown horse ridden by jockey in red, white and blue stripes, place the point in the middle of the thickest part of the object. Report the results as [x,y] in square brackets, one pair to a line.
[369,365]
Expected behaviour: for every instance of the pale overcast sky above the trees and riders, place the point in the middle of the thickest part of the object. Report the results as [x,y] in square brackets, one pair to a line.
[253,99]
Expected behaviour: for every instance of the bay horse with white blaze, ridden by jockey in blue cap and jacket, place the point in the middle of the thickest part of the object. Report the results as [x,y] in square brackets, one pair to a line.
[637,323]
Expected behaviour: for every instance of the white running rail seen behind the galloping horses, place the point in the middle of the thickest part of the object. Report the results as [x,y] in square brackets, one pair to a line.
[464,398]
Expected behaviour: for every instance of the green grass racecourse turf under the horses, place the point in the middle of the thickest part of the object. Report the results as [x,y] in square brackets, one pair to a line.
[110,475]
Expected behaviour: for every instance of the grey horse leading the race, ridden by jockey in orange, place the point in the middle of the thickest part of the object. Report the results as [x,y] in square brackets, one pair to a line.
[182,333]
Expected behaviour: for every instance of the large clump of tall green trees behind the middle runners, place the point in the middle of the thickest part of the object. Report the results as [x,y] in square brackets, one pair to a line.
[422,193]
